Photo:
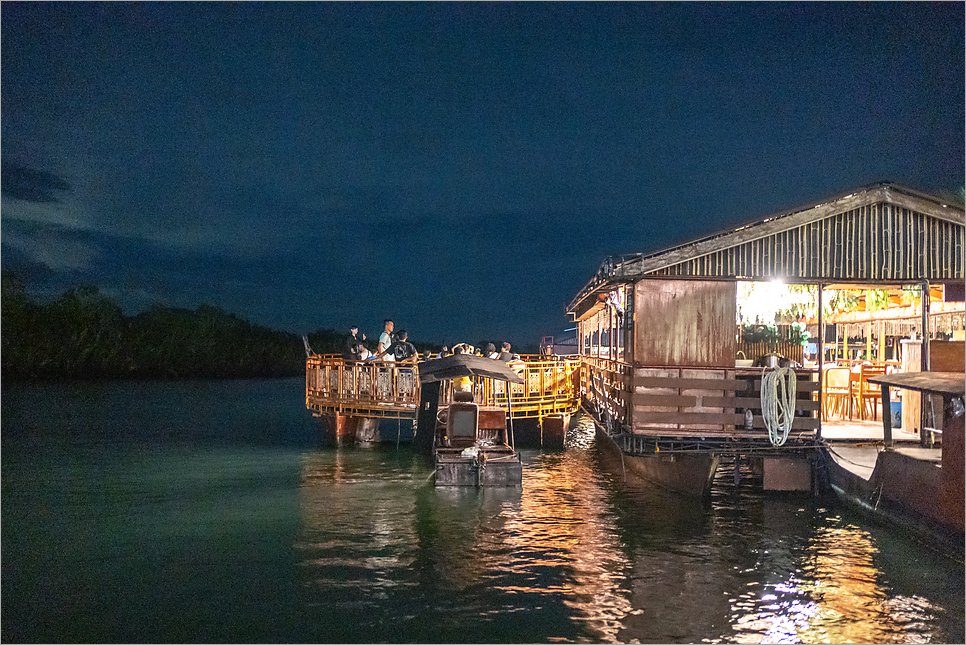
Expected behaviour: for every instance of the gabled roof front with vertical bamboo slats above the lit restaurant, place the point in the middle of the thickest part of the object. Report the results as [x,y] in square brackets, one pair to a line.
[878,234]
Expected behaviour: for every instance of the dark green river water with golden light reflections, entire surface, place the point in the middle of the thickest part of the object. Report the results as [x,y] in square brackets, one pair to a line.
[208,511]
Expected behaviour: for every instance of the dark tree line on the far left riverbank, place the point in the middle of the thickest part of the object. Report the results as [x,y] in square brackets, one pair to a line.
[84,334]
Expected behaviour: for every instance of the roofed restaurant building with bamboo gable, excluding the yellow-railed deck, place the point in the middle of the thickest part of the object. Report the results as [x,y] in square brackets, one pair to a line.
[681,372]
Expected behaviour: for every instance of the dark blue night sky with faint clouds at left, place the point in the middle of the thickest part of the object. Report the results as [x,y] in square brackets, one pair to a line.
[461,168]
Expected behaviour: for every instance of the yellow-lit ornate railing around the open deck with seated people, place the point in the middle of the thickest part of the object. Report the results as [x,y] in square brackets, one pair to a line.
[390,390]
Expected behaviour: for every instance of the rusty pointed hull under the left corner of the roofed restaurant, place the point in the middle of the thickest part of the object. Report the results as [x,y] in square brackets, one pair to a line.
[684,473]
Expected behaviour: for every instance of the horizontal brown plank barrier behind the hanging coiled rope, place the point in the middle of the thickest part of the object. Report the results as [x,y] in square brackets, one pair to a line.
[688,402]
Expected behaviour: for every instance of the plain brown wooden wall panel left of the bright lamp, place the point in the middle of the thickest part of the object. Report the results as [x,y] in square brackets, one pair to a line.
[684,323]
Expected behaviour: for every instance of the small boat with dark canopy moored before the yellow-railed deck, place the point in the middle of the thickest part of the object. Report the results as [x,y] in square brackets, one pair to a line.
[472,444]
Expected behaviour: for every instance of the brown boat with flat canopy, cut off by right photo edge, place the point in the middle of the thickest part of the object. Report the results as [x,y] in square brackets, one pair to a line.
[916,489]
